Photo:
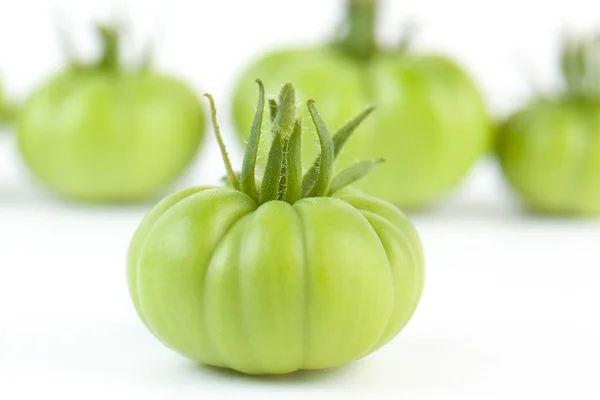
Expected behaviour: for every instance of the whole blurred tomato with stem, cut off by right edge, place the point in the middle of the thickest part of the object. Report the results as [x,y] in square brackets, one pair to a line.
[549,151]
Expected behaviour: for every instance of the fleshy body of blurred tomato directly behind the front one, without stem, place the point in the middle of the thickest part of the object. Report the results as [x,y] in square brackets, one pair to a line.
[430,123]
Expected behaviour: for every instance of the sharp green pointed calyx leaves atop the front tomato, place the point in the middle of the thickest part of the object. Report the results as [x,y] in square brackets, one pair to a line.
[283,179]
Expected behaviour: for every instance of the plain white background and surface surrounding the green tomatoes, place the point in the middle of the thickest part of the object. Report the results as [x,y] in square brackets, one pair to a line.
[510,309]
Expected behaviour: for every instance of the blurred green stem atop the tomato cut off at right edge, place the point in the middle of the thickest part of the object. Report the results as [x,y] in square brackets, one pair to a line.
[580,65]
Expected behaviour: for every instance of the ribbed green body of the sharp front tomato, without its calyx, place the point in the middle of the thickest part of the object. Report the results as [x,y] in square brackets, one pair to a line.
[276,288]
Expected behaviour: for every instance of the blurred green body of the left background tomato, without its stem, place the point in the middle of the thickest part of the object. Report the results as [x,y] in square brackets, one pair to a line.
[110,137]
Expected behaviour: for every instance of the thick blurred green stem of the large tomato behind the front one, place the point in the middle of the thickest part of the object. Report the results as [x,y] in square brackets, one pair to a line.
[361,21]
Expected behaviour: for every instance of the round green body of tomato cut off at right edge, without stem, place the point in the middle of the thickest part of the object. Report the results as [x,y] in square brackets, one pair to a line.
[550,155]
